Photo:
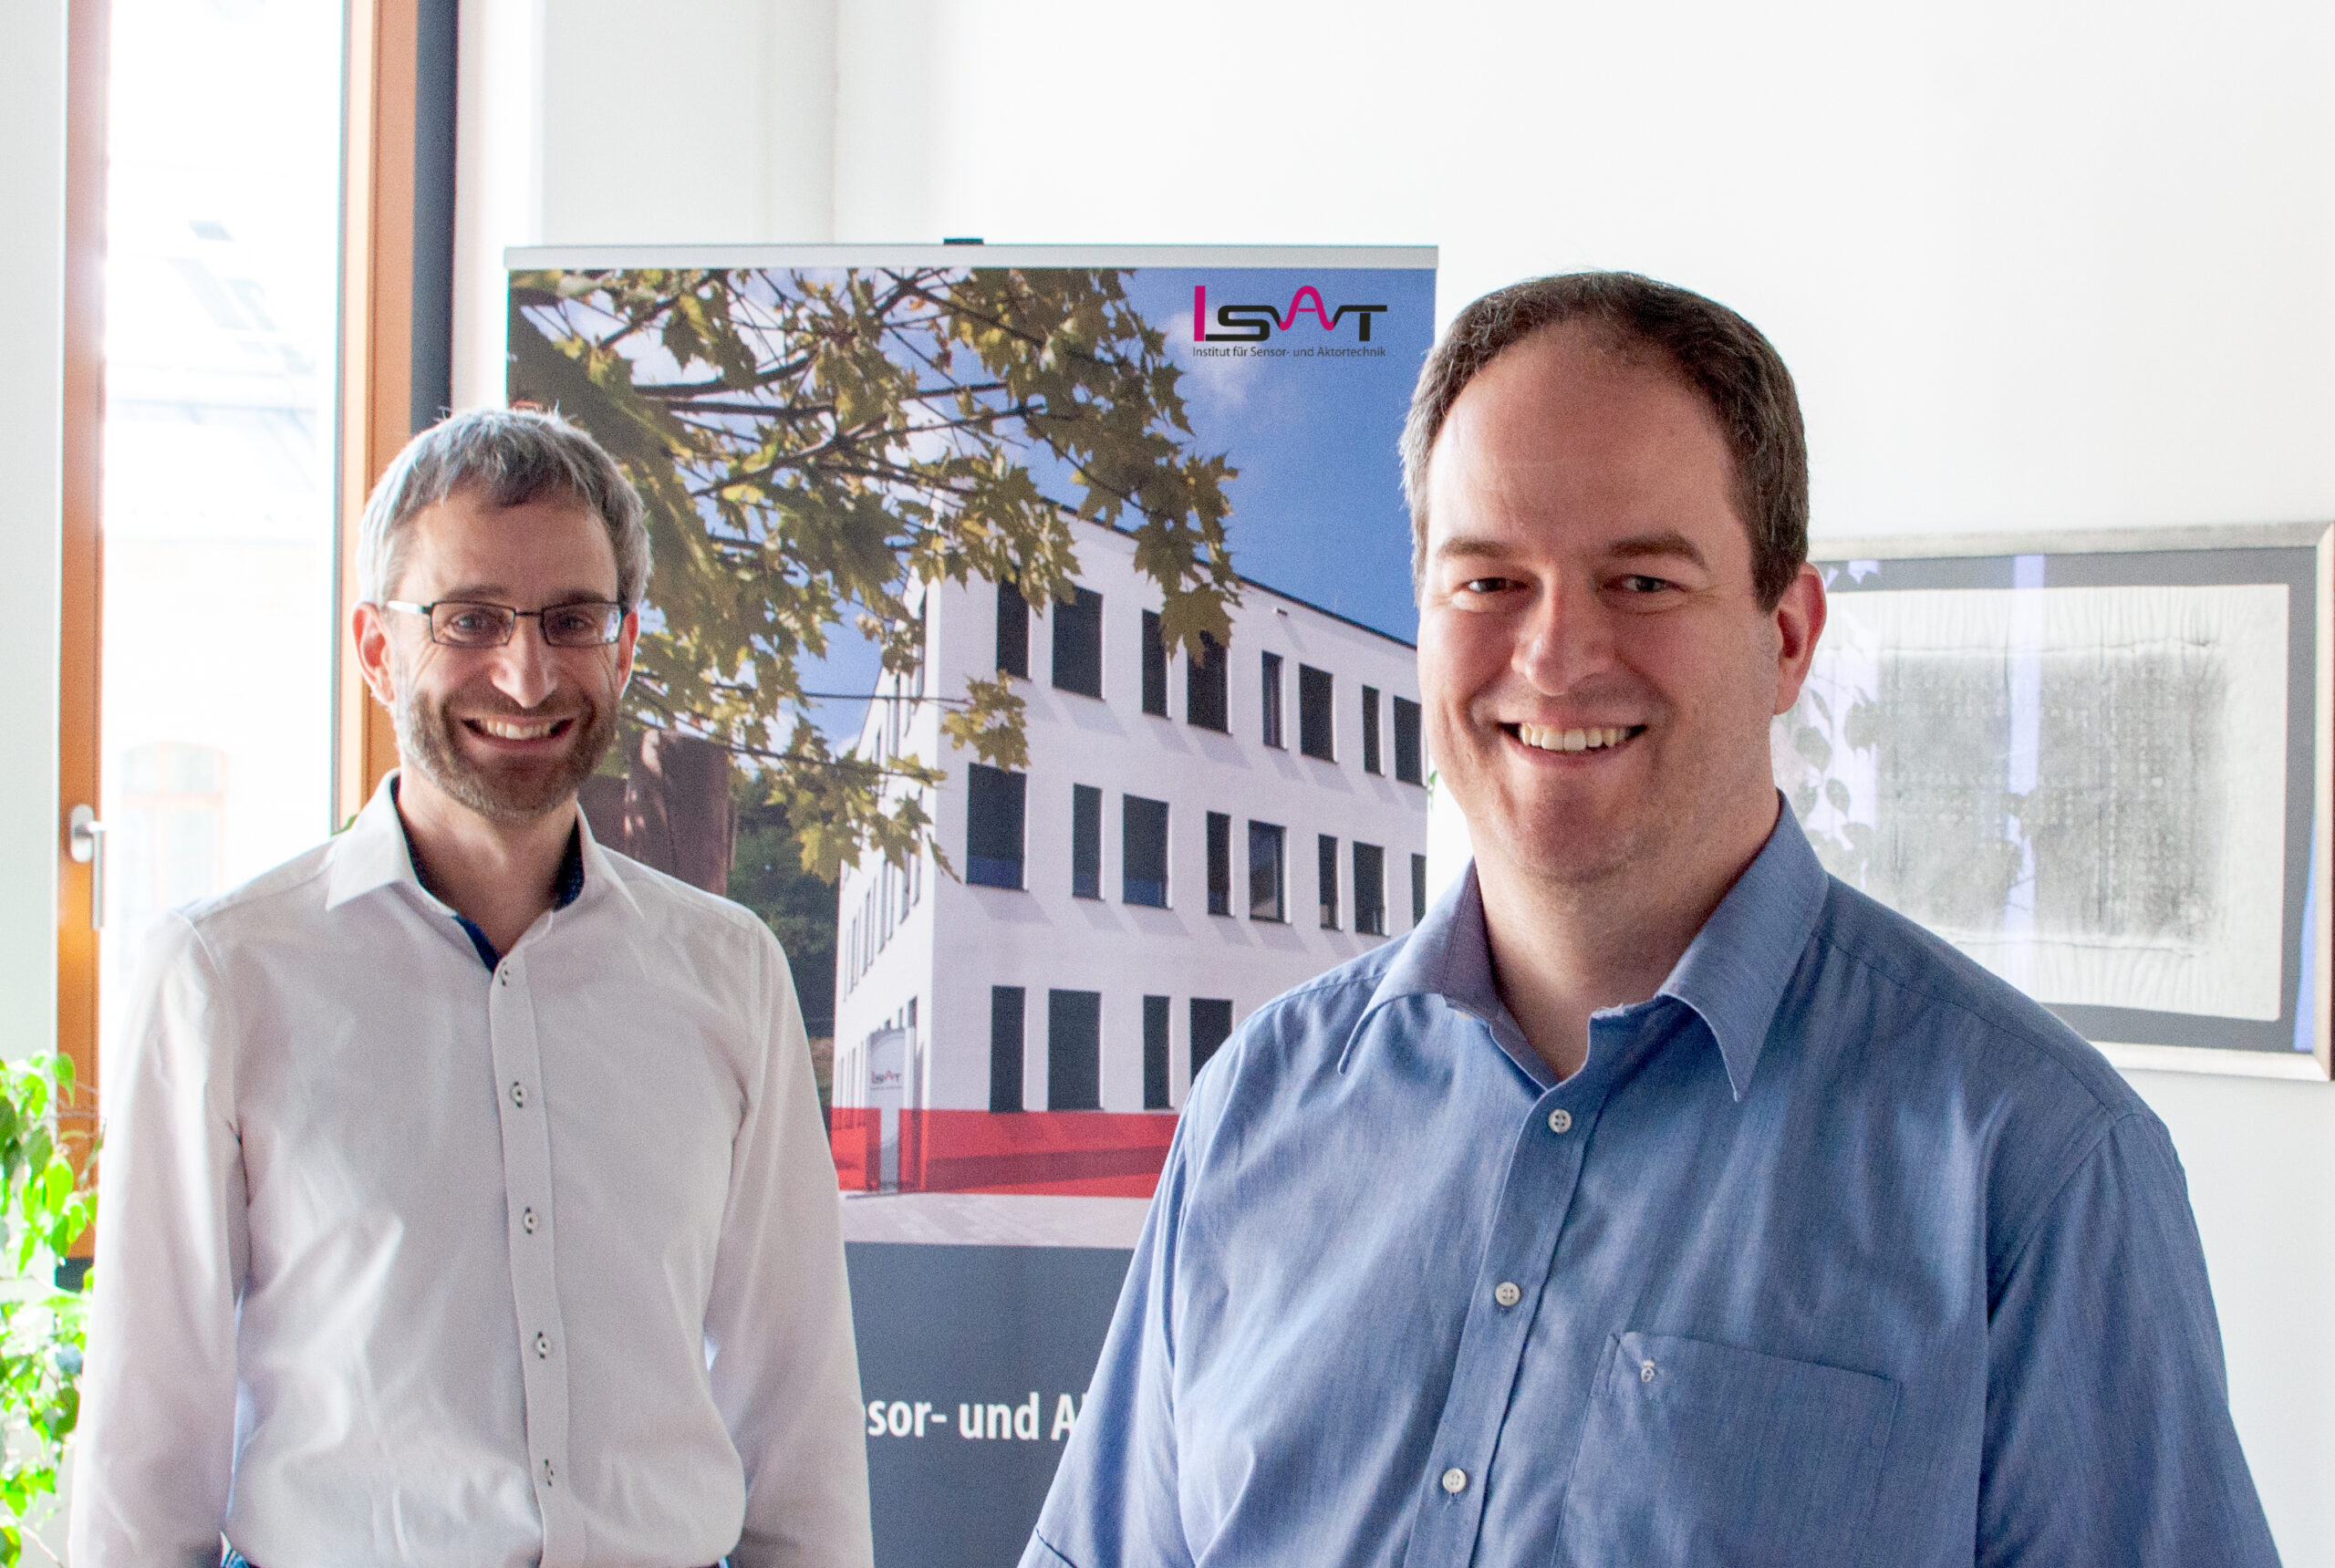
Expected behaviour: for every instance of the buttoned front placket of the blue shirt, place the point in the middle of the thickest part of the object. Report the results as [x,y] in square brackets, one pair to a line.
[1521,1251]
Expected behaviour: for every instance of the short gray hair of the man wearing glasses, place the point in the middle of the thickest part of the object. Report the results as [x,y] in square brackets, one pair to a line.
[508,457]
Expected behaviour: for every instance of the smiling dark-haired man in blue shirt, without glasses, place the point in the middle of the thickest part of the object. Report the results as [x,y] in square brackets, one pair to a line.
[1659,1200]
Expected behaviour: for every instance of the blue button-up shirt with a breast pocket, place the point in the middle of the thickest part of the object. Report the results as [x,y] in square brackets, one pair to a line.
[1836,1251]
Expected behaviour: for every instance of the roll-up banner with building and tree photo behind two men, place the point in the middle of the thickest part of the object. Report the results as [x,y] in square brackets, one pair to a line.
[1031,644]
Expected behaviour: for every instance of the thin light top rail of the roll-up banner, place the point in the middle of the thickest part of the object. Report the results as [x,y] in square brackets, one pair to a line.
[594,258]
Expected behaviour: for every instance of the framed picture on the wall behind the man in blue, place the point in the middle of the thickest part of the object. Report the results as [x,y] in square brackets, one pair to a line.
[2100,768]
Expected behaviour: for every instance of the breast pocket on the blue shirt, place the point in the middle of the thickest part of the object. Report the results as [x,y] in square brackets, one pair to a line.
[1724,1459]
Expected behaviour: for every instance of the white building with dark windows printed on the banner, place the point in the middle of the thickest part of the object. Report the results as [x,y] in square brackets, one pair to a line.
[1190,840]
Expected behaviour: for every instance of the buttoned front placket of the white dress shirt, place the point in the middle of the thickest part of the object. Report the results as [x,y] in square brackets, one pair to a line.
[527,1184]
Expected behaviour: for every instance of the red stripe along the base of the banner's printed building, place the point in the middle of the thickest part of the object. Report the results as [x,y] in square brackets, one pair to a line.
[1066,1153]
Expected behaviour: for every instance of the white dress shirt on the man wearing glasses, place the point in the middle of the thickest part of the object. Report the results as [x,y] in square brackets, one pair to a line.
[403,1261]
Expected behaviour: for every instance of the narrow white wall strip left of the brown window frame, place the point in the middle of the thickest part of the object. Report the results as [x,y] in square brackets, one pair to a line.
[32,279]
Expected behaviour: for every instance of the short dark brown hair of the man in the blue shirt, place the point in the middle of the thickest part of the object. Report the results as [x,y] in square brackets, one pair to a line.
[1710,347]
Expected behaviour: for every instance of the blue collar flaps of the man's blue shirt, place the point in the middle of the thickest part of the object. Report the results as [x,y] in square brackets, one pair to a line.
[1734,973]
